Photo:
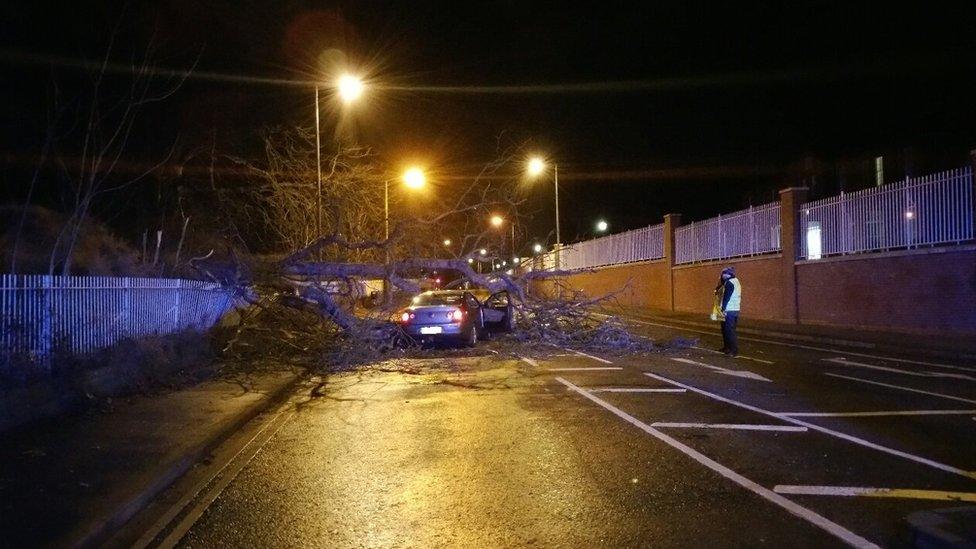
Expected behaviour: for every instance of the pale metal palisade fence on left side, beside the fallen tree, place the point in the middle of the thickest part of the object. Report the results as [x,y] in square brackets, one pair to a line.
[79,314]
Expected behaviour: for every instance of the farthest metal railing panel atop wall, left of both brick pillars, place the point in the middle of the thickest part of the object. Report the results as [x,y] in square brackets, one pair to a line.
[627,247]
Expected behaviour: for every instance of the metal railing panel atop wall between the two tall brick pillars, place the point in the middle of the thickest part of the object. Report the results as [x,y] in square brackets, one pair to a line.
[744,233]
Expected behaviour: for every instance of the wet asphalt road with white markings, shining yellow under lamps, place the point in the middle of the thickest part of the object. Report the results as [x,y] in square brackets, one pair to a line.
[783,446]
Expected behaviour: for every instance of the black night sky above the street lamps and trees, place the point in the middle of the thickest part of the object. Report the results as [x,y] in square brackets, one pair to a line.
[648,107]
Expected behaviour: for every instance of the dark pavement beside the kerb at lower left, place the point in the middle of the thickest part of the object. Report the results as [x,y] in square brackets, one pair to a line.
[72,480]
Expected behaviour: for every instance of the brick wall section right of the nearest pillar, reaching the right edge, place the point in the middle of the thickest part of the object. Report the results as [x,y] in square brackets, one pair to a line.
[921,292]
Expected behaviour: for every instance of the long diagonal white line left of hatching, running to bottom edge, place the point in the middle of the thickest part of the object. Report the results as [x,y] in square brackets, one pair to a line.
[794,508]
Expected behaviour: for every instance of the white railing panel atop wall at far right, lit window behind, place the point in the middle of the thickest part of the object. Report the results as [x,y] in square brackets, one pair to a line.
[934,209]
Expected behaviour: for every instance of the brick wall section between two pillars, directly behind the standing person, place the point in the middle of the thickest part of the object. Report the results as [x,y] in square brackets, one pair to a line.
[762,287]
